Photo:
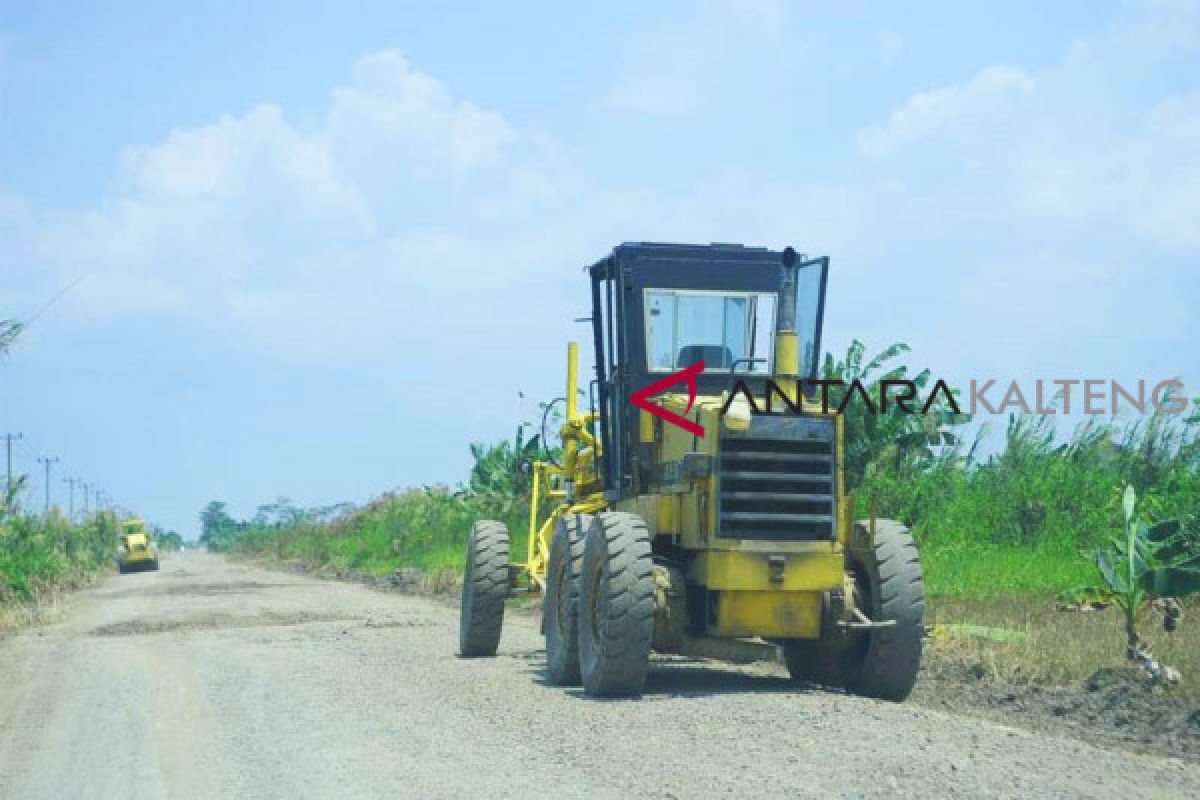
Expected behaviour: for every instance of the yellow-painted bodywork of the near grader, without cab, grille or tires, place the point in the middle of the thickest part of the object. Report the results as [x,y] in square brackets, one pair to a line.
[767,590]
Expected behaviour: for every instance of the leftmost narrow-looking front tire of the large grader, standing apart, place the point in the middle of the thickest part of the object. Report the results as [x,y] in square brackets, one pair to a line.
[485,586]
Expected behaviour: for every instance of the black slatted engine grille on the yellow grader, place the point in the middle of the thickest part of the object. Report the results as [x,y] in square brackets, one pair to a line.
[777,482]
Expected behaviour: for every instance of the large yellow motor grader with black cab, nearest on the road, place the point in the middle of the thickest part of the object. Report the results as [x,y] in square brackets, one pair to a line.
[704,524]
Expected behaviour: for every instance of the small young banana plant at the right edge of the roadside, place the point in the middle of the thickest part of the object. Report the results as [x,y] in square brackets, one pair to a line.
[1143,566]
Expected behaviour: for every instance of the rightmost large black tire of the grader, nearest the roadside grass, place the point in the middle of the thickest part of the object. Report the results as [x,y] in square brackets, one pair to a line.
[885,661]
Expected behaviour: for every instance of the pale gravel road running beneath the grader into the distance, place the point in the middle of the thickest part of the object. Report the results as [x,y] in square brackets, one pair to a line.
[214,679]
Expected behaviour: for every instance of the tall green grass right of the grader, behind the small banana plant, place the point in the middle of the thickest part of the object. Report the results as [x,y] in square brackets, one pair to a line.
[1028,519]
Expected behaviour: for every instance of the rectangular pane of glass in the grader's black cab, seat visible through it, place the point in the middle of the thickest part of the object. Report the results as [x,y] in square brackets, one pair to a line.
[724,330]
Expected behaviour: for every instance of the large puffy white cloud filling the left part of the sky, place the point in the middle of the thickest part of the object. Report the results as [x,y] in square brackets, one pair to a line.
[251,216]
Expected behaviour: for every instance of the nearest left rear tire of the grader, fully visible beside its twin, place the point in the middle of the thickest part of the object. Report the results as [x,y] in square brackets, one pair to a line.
[616,606]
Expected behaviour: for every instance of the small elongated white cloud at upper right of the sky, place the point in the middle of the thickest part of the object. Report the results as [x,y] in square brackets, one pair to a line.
[949,111]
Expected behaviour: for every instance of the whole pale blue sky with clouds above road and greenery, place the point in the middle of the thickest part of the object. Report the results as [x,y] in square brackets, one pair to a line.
[316,252]
